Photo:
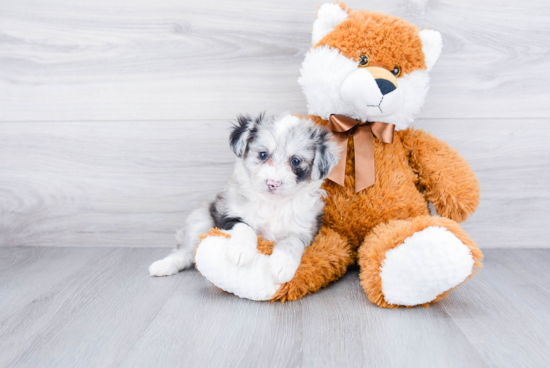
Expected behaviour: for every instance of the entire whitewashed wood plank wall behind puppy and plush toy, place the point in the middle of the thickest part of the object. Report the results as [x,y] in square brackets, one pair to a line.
[113,114]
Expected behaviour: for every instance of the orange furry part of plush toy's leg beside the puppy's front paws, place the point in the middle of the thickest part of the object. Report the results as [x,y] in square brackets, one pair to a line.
[324,261]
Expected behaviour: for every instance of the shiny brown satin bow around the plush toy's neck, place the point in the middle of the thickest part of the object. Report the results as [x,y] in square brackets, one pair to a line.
[340,125]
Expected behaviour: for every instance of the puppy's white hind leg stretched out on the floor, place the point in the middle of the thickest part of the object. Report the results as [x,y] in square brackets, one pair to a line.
[198,223]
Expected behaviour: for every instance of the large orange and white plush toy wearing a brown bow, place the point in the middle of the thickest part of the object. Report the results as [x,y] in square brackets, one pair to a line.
[366,77]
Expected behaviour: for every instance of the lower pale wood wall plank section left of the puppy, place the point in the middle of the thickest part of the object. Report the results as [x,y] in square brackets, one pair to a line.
[102,184]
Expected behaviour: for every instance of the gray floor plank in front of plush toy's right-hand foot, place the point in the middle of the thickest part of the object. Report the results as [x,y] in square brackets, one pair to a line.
[343,329]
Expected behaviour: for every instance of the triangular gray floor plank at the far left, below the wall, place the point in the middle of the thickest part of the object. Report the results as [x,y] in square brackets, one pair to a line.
[33,291]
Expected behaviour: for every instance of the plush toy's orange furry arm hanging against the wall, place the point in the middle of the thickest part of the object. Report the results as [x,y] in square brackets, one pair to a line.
[446,178]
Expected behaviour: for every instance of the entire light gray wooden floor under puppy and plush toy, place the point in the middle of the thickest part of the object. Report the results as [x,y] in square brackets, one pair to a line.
[97,307]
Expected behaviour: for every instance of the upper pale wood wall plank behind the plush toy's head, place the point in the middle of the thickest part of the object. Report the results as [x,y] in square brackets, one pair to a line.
[157,60]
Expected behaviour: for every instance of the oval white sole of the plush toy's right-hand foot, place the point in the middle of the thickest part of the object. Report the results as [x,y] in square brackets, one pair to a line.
[427,264]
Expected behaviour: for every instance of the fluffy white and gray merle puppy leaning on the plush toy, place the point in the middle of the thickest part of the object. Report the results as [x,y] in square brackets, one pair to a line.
[274,191]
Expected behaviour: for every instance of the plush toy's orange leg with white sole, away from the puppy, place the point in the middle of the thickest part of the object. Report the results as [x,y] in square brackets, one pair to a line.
[416,261]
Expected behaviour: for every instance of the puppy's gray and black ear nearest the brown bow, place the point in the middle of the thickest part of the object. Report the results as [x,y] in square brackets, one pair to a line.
[326,154]
